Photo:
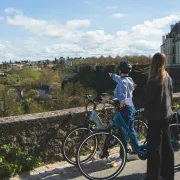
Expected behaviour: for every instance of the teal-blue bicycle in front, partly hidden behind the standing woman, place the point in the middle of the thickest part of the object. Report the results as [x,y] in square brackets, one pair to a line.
[107,161]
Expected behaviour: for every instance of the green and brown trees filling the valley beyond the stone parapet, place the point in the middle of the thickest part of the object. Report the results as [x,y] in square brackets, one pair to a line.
[87,80]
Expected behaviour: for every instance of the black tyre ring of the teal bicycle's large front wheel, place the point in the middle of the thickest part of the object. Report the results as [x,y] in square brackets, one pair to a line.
[95,134]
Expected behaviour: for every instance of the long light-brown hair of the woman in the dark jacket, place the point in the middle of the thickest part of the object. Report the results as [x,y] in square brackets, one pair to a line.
[157,70]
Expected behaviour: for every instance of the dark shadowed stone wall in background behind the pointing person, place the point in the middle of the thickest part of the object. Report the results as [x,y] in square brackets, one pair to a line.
[97,77]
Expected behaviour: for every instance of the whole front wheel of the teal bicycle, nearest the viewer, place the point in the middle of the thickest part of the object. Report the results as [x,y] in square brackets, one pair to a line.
[107,162]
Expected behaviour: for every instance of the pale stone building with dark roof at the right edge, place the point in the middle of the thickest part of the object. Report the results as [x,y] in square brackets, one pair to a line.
[171,45]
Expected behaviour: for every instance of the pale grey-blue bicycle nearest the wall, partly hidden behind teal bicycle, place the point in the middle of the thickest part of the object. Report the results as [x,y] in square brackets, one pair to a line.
[76,134]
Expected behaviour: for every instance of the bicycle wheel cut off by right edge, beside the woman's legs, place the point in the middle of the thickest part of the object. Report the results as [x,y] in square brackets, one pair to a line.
[176,145]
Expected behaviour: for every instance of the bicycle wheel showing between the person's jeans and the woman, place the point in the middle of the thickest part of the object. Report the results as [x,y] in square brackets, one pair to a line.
[141,129]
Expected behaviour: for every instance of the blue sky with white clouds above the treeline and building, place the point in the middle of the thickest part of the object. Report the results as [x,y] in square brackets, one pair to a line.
[45,29]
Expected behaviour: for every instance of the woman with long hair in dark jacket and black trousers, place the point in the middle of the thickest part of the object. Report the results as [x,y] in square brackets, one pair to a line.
[158,101]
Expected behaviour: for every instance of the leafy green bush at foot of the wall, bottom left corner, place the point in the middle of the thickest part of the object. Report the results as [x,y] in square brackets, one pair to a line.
[13,160]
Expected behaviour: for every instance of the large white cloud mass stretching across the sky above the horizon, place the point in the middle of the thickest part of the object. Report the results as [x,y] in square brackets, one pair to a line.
[143,39]
